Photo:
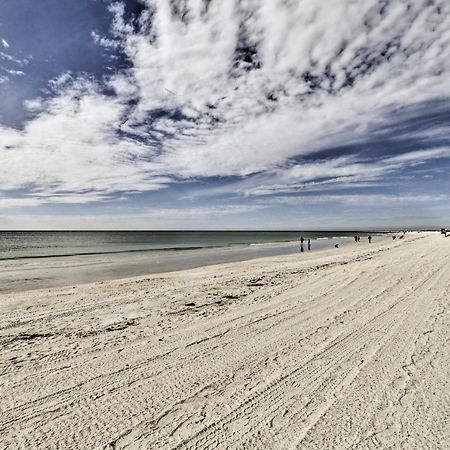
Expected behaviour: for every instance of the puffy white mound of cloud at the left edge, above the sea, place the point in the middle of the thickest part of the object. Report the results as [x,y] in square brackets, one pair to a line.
[73,146]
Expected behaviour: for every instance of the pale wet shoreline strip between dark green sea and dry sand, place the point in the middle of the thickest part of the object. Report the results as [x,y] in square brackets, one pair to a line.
[22,274]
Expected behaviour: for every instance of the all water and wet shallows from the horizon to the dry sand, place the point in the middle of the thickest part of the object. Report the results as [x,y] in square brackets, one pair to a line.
[42,259]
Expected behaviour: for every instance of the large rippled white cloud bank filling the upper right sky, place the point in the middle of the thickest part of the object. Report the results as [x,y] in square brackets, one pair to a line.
[188,65]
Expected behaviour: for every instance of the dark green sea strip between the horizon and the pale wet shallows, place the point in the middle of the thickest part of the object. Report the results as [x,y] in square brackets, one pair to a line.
[43,244]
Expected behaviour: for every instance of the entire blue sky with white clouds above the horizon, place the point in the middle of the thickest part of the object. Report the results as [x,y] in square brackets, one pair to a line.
[224,114]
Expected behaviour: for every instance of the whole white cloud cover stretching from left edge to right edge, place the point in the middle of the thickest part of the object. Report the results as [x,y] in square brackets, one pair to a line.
[238,88]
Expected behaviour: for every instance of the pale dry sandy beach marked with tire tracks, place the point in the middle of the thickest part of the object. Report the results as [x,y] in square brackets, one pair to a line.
[340,349]
